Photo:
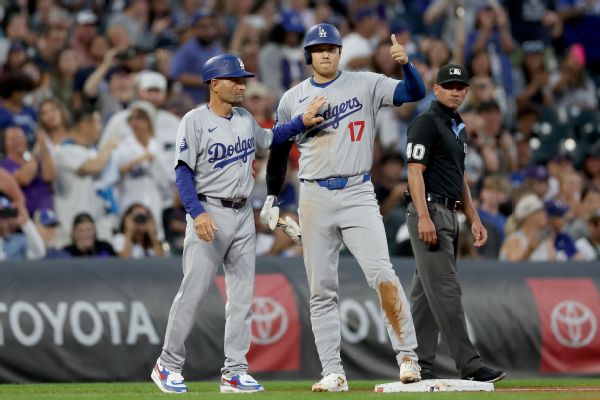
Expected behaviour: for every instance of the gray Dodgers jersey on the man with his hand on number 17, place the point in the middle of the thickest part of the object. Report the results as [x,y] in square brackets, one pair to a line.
[221,150]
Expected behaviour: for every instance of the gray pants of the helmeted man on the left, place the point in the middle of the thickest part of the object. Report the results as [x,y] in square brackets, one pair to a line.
[234,247]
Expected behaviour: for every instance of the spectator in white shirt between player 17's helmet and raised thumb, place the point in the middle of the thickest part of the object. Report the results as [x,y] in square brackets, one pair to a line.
[359,45]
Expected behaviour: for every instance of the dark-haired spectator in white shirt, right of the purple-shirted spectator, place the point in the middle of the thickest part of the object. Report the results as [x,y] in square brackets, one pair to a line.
[79,167]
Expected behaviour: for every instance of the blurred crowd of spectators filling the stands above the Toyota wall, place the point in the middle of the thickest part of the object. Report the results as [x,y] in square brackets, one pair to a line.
[92,91]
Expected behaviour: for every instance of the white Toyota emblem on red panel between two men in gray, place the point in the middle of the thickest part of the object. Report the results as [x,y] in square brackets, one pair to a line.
[269,321]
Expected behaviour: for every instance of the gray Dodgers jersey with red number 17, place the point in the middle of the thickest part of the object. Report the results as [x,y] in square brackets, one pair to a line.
[342,145]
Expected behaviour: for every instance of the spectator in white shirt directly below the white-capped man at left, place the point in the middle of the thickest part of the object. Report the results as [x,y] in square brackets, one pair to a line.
[143,177]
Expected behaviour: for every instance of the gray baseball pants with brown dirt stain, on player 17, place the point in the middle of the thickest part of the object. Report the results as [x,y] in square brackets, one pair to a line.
[350,215]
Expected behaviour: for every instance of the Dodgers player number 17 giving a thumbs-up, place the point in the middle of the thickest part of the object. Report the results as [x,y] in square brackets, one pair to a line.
[337,202]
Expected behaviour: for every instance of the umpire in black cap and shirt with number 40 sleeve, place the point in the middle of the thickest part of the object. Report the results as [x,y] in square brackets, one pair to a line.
[437,145]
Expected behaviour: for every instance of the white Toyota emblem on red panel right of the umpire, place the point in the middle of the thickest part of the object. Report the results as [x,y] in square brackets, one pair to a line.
[573,324]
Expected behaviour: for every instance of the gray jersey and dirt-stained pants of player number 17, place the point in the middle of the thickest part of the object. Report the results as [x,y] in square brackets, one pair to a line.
[342,146]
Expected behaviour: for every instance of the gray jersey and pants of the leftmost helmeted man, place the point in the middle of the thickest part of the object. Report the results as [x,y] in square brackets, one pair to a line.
[220,151]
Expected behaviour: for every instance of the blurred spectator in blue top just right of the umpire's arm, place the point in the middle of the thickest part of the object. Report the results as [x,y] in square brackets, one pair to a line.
[494,193]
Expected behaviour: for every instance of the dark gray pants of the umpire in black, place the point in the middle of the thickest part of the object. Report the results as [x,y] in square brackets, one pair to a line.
[436,294]
